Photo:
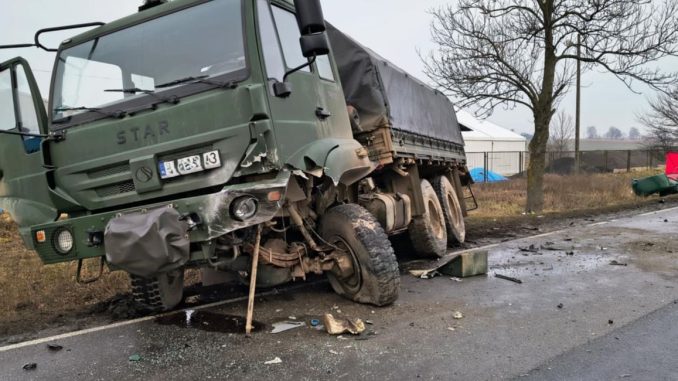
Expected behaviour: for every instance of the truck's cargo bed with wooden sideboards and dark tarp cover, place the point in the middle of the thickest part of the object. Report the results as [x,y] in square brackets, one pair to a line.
[399,116]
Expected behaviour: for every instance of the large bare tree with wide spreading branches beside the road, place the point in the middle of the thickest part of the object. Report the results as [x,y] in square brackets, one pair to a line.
[523,52]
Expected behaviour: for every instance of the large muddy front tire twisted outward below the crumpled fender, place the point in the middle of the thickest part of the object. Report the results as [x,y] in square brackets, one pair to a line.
[375,278]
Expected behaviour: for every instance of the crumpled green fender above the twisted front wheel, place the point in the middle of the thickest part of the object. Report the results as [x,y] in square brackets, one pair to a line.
[345,161]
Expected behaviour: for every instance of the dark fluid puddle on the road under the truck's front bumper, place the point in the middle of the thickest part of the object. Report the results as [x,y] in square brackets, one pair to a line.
[208,321]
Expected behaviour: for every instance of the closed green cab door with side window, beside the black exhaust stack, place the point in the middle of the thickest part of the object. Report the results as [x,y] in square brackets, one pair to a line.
[302,118]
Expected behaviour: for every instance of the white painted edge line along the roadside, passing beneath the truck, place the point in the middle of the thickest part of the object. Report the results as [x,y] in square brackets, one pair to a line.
[243,298]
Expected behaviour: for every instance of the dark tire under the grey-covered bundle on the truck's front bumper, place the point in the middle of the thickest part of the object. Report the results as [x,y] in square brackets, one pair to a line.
[160,293]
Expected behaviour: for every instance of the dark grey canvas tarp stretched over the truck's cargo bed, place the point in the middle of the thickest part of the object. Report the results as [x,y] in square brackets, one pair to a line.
[384,94]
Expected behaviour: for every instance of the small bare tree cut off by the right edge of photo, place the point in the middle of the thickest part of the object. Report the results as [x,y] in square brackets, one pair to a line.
[662,122]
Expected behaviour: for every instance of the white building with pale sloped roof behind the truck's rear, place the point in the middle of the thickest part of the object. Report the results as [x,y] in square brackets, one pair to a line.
[504,148]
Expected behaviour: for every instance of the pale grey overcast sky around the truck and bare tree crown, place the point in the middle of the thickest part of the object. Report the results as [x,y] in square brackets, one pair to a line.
[396,29]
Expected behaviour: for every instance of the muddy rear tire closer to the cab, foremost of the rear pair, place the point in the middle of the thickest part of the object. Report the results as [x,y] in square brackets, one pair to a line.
[428,233]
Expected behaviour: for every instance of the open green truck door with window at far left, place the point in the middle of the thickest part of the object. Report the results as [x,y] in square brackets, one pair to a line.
[23,183]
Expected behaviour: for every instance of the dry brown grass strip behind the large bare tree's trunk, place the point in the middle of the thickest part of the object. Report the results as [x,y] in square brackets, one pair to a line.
[561,194]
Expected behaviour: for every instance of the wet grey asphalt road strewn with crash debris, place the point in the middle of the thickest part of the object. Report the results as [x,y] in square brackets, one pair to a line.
[575,316]
